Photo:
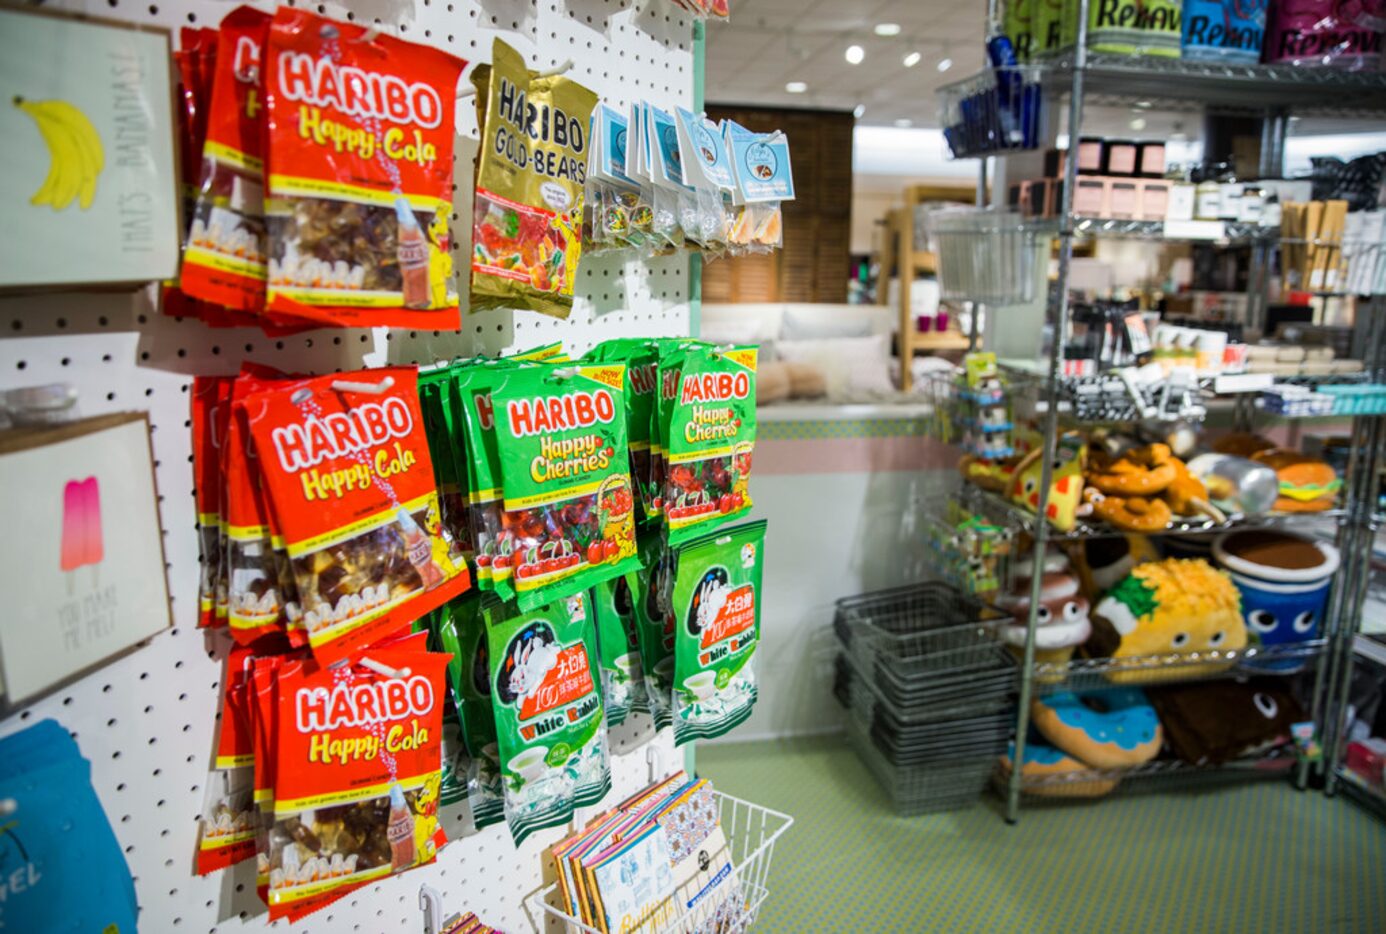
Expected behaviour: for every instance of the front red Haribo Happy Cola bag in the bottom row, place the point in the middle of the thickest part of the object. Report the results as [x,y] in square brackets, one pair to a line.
[358,775]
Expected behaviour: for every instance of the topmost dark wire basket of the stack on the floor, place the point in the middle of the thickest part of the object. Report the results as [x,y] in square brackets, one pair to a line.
[920,630]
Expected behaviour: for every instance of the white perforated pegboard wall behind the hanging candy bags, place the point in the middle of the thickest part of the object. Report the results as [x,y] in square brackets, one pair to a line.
[148,720]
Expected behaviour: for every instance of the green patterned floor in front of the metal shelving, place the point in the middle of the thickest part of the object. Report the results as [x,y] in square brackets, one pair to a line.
[1258,857]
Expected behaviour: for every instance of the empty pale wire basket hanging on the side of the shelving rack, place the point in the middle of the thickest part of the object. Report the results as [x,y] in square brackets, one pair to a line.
[986,256]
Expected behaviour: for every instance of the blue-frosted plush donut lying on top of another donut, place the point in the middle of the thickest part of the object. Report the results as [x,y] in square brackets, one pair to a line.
[1108,730]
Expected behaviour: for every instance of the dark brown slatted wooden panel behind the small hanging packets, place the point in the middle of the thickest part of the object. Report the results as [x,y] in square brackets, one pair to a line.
[814,264]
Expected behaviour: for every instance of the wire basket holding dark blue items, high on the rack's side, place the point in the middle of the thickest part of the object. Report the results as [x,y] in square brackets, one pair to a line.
[1000,110]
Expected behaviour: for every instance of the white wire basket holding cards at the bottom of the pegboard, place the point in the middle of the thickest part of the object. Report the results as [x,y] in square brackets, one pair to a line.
[752,832]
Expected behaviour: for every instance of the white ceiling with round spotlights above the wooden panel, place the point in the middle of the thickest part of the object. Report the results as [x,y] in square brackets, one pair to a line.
[769,44]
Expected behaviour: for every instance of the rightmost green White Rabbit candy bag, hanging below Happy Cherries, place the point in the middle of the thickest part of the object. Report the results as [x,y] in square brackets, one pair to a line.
[717,613]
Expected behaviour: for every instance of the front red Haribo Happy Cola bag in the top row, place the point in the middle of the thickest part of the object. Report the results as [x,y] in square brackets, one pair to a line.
[361,142]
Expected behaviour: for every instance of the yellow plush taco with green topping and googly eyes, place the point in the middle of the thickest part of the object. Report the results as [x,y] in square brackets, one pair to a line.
[1164,609]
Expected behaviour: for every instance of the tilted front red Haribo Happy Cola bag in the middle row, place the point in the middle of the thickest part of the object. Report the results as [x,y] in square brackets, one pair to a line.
[347,469]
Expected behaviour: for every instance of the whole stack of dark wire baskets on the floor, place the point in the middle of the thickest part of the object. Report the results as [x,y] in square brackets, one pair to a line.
[929,689]
